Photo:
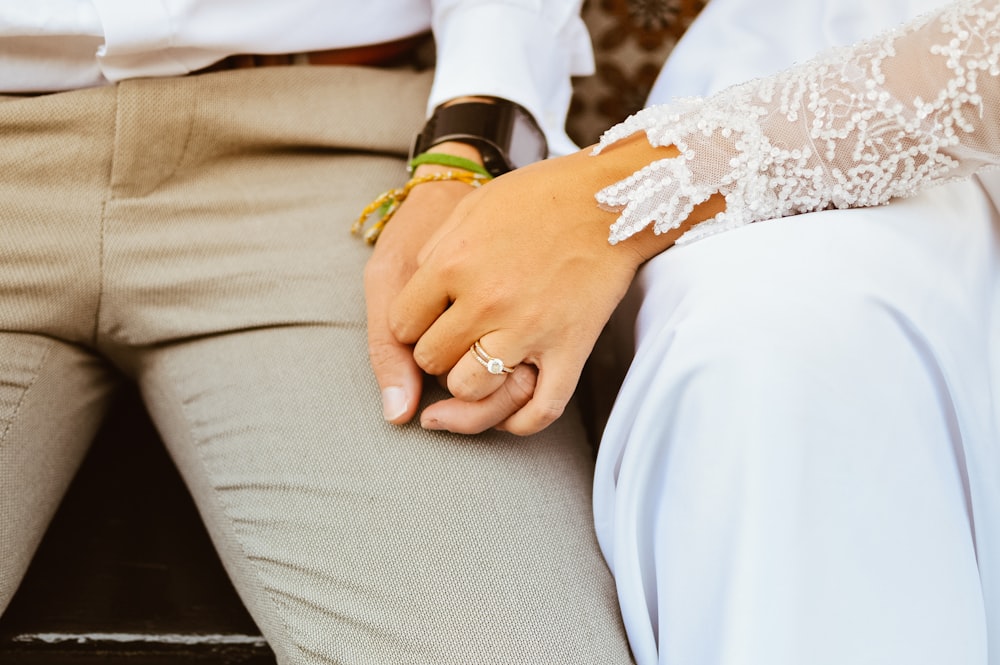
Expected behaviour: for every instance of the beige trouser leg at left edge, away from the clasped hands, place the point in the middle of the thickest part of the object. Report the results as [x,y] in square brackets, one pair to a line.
[53,390]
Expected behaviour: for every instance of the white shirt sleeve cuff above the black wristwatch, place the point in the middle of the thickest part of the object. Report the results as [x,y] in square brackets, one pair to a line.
[521,50]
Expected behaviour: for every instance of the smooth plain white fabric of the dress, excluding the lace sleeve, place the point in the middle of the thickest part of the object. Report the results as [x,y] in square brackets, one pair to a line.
[801,465]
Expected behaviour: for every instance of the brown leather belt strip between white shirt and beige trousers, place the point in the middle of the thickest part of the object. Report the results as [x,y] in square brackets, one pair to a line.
[385,54]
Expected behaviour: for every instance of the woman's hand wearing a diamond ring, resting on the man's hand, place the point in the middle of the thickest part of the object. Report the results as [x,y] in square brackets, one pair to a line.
[524,267]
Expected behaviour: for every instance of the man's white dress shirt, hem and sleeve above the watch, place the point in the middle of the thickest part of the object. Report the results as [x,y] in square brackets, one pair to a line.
[523,50]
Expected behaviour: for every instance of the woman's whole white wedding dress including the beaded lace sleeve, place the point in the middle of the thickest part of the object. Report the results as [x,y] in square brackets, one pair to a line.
[803,464]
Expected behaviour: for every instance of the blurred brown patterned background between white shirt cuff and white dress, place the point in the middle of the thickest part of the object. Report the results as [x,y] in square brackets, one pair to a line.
[631,39]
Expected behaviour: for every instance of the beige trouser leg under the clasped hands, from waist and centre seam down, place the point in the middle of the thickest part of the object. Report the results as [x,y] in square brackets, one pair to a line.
[234,295]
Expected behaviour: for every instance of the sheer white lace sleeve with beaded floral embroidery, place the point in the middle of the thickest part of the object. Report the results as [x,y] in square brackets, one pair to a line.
[855,127]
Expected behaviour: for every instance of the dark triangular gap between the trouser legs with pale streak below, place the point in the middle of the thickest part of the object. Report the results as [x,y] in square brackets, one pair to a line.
[126,572]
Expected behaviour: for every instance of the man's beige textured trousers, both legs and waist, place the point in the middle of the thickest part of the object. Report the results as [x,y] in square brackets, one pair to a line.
[192,235]
